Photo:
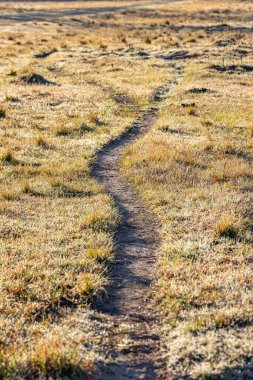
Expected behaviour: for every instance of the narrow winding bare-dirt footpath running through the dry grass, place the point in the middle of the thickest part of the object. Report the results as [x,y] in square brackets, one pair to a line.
[129,307]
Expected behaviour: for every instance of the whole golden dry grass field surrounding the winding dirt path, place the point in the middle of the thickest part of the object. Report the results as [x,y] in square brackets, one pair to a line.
[68,87]
